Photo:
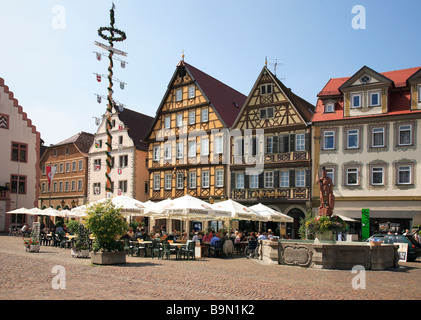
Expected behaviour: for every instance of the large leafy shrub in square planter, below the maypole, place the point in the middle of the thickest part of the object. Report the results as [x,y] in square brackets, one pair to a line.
[107,226]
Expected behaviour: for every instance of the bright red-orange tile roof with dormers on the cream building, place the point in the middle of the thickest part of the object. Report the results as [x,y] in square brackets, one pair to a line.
[399,102]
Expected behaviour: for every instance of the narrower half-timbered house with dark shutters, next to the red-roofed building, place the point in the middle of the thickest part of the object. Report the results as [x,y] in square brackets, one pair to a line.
[271,157]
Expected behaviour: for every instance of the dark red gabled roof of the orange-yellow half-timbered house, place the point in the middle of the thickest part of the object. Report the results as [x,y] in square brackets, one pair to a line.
[226,101]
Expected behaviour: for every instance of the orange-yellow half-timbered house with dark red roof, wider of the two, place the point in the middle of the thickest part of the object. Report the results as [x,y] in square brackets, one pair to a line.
[188,139]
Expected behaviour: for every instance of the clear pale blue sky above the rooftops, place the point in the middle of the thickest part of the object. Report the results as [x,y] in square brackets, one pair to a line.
[51,71]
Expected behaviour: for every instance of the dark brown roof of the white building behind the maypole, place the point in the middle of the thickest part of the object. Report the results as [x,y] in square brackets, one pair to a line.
[138,125]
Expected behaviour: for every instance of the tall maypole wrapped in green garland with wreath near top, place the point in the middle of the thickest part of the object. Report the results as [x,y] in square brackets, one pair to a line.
[115,35]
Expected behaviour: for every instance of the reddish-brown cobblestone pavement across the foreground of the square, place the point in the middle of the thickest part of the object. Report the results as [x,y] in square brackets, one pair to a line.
[30,276]
